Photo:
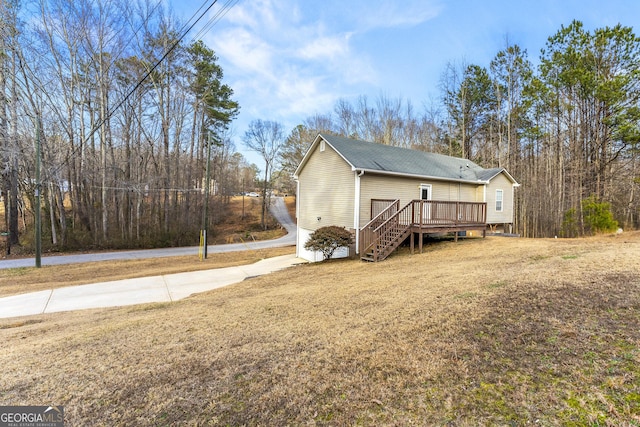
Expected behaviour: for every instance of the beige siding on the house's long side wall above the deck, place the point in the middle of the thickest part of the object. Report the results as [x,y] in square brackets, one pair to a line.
[375,186]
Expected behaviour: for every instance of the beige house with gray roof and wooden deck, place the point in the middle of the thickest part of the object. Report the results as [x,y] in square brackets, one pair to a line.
[386,194]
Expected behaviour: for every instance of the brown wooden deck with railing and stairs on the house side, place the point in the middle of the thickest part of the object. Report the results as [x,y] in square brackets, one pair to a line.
[392,224]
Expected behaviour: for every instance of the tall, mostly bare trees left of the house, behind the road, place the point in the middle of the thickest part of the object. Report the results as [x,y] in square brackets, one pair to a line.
[123,108]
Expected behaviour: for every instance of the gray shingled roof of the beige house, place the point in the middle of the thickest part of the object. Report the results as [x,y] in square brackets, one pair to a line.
[369,156]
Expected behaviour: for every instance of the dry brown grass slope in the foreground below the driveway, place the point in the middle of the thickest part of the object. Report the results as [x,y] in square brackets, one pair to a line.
[480,332]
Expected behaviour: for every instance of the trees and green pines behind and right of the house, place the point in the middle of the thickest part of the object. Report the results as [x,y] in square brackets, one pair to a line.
[568,129]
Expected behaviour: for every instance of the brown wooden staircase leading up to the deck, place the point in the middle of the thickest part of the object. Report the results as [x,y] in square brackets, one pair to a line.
[384,233]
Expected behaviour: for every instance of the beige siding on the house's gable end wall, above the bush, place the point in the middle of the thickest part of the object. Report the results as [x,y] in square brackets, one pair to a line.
[327,188]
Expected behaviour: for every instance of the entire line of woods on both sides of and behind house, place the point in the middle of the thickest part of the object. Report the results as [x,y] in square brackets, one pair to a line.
[124,109]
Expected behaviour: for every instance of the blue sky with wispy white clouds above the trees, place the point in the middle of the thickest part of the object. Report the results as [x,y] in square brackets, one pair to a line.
[287,60]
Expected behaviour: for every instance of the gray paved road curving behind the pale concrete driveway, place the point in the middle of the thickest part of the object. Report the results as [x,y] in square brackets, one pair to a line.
[278,210]
